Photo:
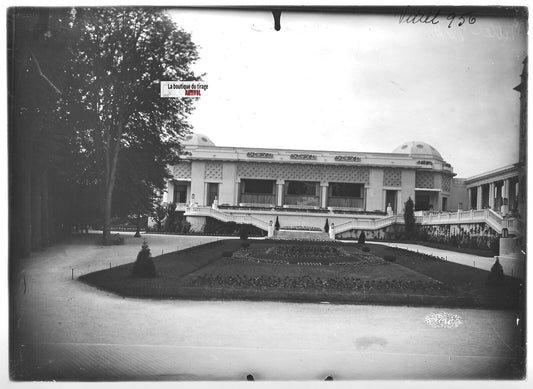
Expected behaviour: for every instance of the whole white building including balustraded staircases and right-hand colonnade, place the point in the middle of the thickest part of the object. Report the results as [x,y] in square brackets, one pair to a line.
[353,190]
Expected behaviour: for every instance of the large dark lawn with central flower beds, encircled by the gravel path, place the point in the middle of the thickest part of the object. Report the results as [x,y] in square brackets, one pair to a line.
[309,271]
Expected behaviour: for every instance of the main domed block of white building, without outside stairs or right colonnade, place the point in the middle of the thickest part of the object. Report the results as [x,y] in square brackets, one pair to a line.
[313,179]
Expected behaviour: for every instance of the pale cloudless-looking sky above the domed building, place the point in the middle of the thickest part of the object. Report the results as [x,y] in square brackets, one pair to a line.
[360,83]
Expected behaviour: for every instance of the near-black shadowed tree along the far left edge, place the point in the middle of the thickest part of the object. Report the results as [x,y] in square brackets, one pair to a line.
[38,47]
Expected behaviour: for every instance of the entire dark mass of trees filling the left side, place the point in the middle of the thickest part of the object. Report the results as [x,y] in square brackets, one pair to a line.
[90,137]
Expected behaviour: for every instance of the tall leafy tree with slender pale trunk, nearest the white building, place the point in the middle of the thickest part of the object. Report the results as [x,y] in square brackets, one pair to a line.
[112,98]
